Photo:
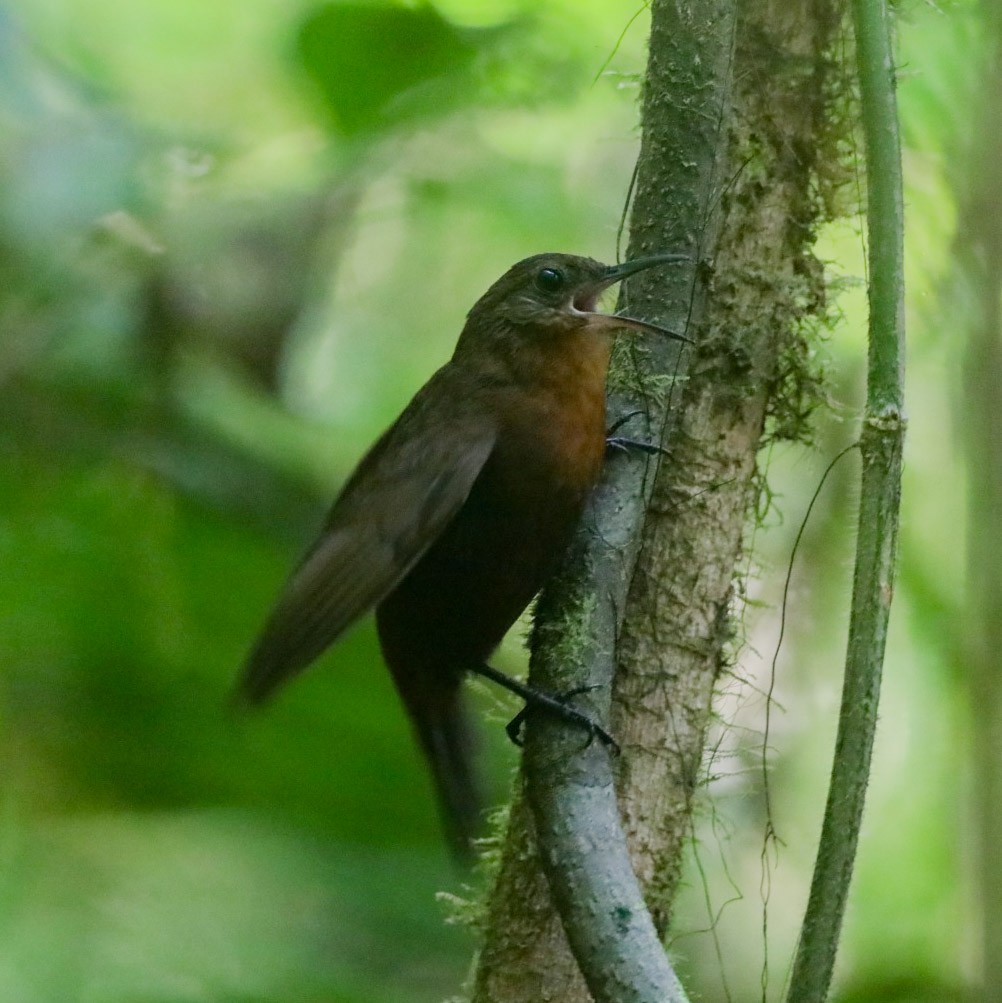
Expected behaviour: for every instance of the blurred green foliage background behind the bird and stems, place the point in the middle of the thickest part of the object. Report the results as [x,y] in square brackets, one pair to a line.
[234,240]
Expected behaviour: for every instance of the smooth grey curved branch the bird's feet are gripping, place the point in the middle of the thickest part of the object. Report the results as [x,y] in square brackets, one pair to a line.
[583,849]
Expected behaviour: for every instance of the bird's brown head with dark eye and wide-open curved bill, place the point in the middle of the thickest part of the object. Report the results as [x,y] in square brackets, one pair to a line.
[557,293]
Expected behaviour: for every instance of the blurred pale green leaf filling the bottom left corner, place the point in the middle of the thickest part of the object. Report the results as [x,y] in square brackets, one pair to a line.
[196,906]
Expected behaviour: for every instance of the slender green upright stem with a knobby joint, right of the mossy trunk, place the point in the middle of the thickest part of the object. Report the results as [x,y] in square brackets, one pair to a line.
[881,444]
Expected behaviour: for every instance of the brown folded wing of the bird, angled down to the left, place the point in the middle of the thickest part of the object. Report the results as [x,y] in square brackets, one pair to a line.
[397,504]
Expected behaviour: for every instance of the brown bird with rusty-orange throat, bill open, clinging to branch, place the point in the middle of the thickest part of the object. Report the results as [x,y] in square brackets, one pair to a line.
[461,512]
